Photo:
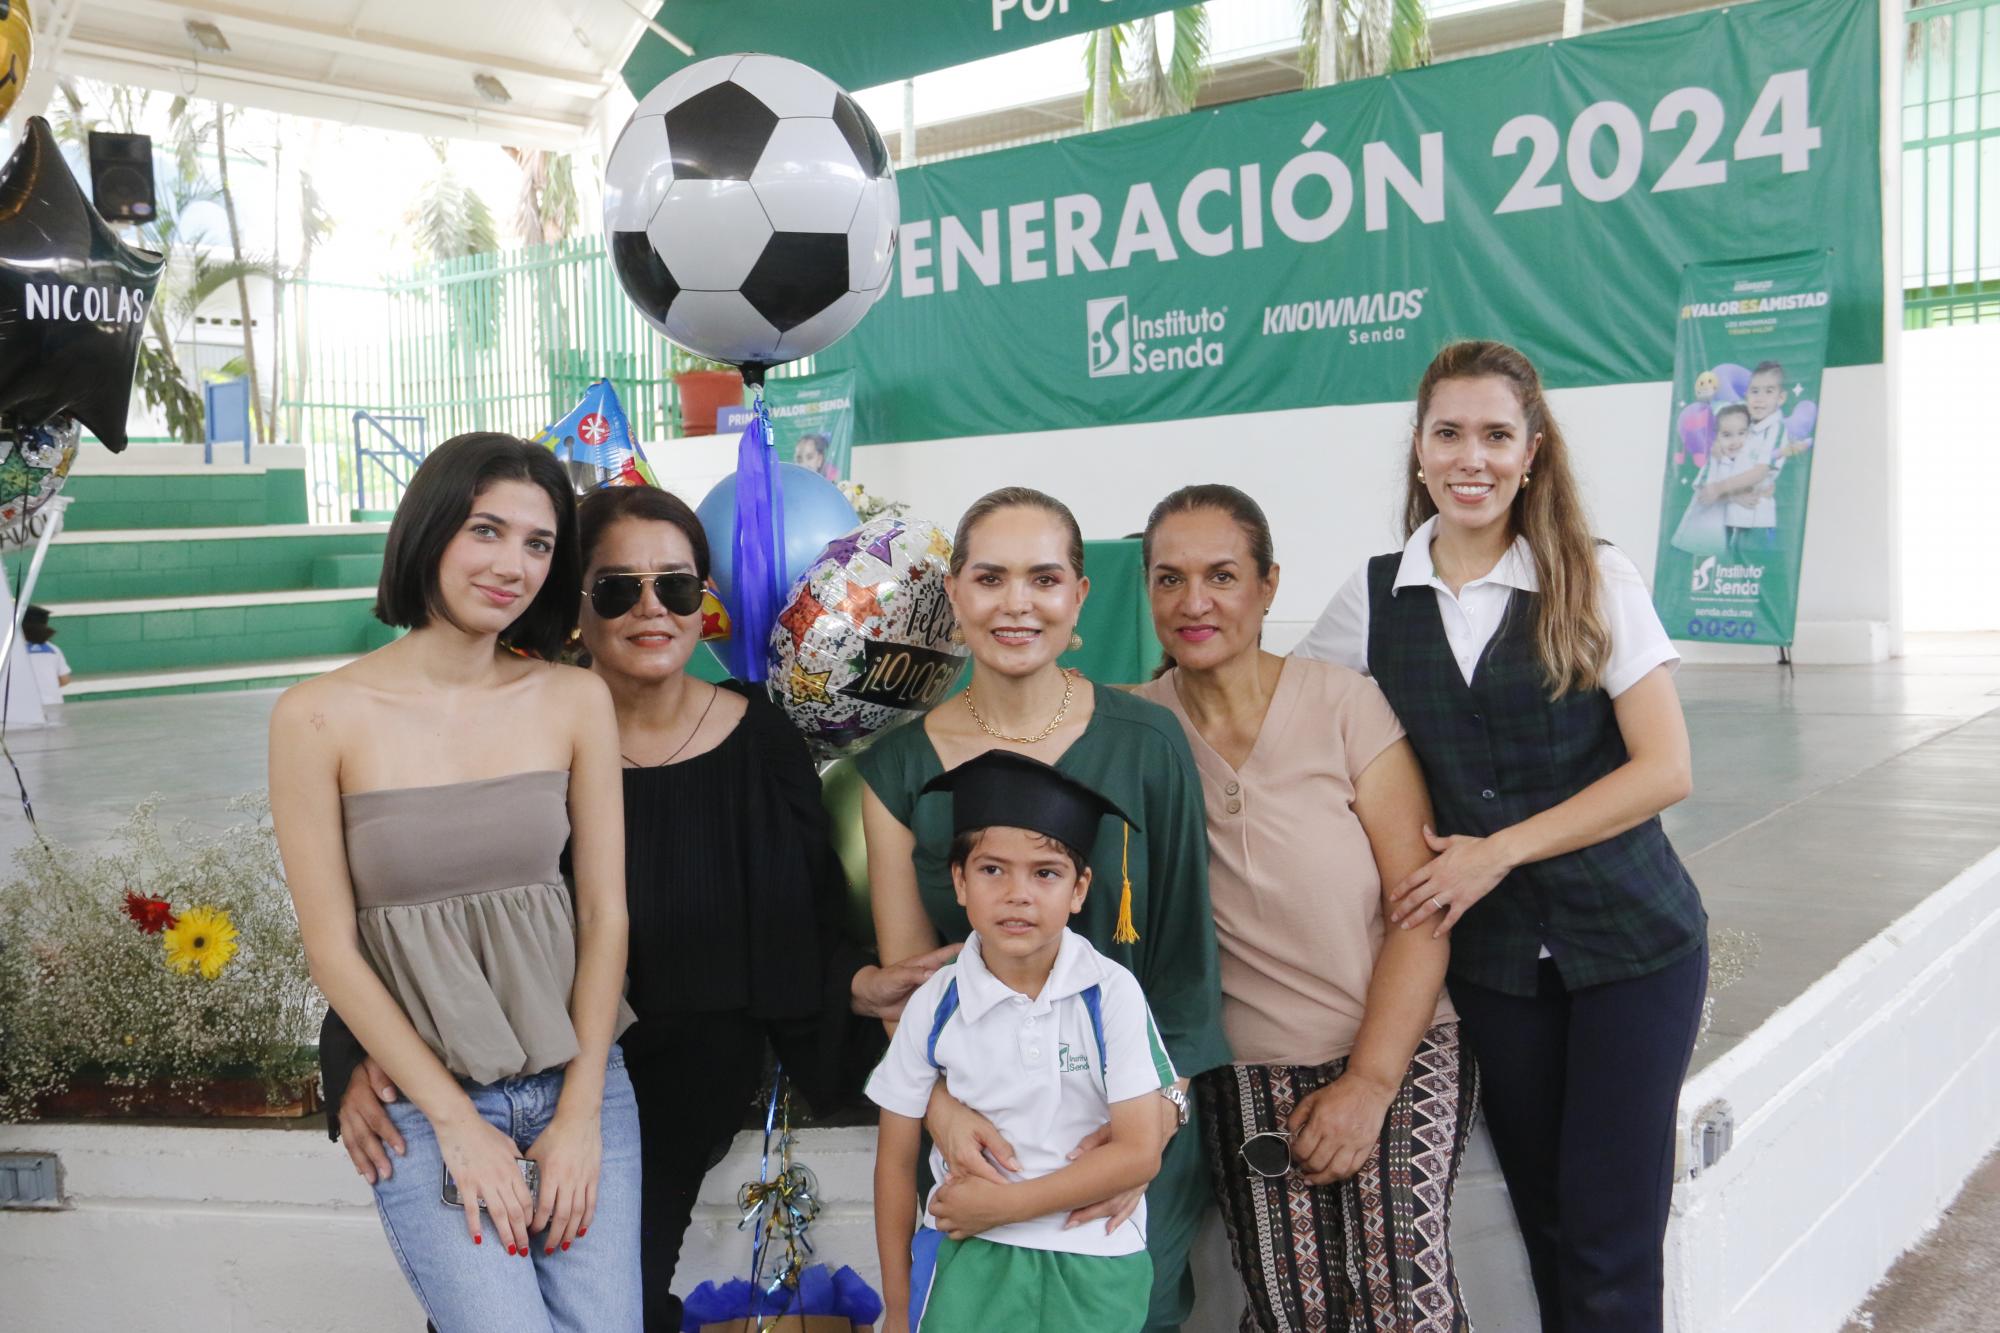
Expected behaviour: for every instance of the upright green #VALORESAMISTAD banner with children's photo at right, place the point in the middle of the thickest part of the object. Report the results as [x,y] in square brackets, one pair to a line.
[1739,459]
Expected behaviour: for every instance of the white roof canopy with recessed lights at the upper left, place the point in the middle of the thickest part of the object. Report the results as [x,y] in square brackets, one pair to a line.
[401,65]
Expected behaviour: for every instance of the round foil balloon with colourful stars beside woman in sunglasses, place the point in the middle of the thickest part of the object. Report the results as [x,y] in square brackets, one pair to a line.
[865,641]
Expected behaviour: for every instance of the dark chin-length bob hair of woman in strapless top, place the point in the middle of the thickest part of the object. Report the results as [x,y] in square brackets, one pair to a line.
[435,509]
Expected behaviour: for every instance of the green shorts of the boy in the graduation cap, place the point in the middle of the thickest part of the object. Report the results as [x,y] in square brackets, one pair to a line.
[981,1286]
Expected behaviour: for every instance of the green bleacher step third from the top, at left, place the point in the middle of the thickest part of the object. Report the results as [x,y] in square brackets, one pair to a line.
[173,633]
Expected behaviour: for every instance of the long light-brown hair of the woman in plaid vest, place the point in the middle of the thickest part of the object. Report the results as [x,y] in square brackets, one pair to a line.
[1571,635]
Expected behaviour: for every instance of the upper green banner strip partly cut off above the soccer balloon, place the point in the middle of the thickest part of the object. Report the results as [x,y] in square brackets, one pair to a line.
[867,43]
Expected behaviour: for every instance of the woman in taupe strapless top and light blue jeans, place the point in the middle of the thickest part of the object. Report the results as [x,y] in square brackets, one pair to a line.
[423,798]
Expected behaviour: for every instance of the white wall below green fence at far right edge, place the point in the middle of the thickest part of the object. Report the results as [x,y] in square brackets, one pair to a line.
[1949,435]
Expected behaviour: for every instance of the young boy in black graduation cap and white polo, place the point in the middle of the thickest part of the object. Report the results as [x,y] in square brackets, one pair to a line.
[1045,1038]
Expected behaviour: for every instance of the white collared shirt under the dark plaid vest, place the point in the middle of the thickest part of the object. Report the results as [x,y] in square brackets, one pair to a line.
[1475,613]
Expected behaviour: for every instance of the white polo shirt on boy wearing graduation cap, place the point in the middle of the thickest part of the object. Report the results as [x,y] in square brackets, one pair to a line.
[1033,1068]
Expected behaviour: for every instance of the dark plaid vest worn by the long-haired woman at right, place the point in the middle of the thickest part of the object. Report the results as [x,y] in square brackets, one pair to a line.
[1499,752]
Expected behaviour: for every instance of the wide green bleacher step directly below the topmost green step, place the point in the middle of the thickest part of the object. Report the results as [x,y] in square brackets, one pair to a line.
[83,567]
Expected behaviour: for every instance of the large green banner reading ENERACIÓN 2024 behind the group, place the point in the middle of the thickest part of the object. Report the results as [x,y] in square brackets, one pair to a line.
[1317,247]
